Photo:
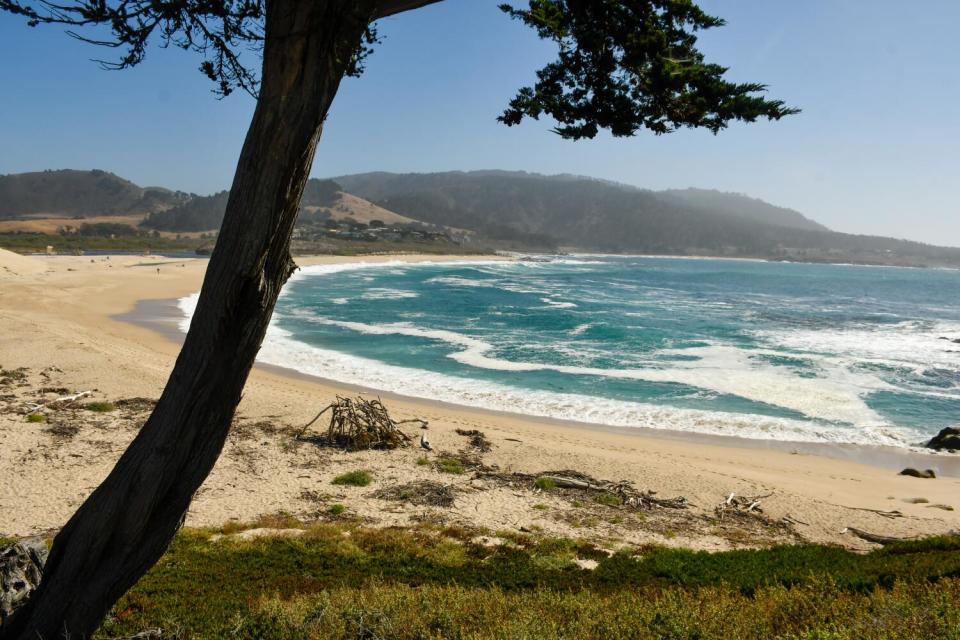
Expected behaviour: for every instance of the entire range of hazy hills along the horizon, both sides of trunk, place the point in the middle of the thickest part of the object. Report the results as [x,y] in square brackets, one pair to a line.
[487,209]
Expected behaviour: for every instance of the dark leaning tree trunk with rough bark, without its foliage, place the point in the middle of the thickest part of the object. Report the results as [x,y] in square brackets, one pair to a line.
[127,523]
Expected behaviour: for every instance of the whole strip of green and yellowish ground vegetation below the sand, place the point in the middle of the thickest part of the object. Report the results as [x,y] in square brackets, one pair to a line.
[344,581]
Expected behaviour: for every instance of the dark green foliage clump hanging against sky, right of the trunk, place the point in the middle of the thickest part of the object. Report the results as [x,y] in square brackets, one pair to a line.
[628,66]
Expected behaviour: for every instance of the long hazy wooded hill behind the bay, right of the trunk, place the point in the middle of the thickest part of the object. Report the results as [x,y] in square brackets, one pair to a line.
[543,212]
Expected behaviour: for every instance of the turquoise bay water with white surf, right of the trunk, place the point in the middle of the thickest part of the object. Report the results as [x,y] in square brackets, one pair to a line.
[764,350]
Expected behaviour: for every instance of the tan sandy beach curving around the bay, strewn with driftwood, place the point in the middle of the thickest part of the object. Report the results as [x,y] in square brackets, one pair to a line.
[65,323]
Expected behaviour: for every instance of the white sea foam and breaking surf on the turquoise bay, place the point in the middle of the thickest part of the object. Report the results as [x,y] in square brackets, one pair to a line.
[832,392]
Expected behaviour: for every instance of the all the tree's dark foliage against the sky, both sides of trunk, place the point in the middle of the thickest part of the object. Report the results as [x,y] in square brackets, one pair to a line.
[622,66]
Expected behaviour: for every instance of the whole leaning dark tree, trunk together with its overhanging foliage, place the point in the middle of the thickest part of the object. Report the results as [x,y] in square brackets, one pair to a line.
[623,66]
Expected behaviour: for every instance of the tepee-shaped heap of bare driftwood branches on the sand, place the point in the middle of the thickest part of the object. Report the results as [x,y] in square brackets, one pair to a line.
[358,423]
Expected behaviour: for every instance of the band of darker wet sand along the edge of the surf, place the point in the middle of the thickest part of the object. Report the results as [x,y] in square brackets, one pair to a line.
[164,316]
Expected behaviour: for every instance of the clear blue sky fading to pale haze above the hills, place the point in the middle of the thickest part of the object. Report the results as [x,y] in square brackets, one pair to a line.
[876,149]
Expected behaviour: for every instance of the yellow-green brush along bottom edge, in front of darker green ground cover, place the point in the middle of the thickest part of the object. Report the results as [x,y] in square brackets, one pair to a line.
[818,612]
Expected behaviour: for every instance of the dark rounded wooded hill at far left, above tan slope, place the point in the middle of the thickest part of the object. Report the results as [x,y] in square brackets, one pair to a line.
[69,192]
